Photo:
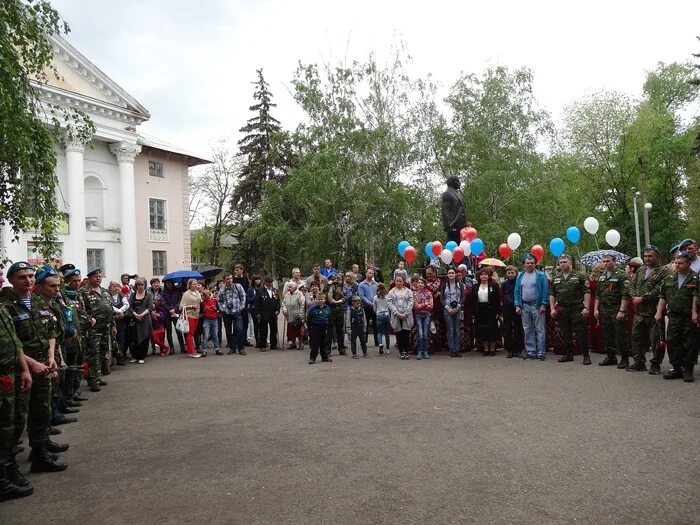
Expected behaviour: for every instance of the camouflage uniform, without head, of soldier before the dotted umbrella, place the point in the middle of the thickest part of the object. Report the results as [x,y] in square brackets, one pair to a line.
[611,290]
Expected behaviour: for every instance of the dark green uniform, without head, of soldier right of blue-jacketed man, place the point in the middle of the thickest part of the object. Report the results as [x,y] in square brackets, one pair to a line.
[569,292]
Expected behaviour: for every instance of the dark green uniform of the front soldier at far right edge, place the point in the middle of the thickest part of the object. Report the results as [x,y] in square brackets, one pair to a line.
[681,333]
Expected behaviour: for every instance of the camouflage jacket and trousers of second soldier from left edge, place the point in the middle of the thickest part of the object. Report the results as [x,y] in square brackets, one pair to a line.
[34,328]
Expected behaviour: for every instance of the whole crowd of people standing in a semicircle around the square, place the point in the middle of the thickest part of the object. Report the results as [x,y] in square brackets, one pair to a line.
[58,327]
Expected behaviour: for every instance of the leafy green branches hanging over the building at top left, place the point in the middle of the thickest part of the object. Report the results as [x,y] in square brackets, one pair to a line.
[29,128]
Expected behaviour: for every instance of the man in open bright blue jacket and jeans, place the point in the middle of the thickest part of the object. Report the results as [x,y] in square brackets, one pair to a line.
[531,298]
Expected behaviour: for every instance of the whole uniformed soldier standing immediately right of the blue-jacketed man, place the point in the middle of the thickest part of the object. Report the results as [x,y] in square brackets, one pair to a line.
[569,294]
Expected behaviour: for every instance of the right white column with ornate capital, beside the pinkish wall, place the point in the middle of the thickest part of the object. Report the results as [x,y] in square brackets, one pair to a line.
[126,153]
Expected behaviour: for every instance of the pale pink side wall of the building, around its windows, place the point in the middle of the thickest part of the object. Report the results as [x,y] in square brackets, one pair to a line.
[169,188]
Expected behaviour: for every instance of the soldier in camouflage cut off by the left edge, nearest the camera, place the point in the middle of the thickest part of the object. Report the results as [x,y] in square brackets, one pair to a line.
[14,379]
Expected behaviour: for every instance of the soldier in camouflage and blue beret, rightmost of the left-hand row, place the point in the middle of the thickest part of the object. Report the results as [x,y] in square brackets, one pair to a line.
[101,326]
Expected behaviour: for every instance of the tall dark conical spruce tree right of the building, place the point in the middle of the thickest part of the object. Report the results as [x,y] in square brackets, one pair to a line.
[265,150]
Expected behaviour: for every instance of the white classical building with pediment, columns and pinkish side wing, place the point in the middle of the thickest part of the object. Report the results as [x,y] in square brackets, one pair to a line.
[124,193]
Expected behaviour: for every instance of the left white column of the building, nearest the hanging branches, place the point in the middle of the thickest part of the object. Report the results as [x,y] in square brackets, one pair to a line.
[75,249]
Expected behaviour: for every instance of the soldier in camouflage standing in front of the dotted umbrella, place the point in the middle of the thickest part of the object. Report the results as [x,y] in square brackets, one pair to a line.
[612,296]
